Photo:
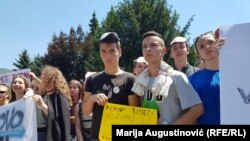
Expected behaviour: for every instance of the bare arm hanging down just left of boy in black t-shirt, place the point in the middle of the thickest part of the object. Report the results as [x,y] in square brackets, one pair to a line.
[78,124]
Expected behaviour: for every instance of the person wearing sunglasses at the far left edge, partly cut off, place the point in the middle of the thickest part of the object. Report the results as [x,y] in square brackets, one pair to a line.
[4,94]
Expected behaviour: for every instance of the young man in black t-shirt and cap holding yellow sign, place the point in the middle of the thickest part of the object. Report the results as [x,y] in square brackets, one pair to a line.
[110,85]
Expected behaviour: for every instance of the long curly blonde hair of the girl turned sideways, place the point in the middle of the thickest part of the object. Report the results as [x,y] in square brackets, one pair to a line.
[55,77]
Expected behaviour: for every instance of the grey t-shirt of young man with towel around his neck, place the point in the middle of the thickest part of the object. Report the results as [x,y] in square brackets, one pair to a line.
[180,96]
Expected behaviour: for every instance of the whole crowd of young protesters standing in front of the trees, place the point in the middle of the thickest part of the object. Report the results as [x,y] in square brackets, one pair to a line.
[182,94]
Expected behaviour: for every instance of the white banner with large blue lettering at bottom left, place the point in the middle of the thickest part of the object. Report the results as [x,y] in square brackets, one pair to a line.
[18,121]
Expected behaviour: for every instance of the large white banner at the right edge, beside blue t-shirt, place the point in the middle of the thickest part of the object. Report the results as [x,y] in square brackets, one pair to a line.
[234,74]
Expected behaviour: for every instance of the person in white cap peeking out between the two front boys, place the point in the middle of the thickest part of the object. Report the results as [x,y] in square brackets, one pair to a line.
[140,64]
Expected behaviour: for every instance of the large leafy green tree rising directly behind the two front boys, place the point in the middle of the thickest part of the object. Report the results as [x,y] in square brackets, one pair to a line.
[131,18]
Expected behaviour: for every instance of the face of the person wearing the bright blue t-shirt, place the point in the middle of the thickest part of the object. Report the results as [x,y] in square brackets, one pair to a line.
[206,48]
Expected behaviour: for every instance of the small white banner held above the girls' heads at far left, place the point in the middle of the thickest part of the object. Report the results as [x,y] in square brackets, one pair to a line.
[7,77]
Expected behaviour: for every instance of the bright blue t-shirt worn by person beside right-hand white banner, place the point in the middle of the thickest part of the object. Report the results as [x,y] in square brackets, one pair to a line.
[207,85]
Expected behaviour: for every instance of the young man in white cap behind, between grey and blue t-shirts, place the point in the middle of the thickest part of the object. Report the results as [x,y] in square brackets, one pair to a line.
[179,52]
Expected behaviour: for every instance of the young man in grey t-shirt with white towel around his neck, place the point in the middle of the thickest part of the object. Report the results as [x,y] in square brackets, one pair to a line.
[164,89]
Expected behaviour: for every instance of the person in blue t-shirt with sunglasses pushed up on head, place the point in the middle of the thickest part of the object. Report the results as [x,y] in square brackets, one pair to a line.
[206,81]
